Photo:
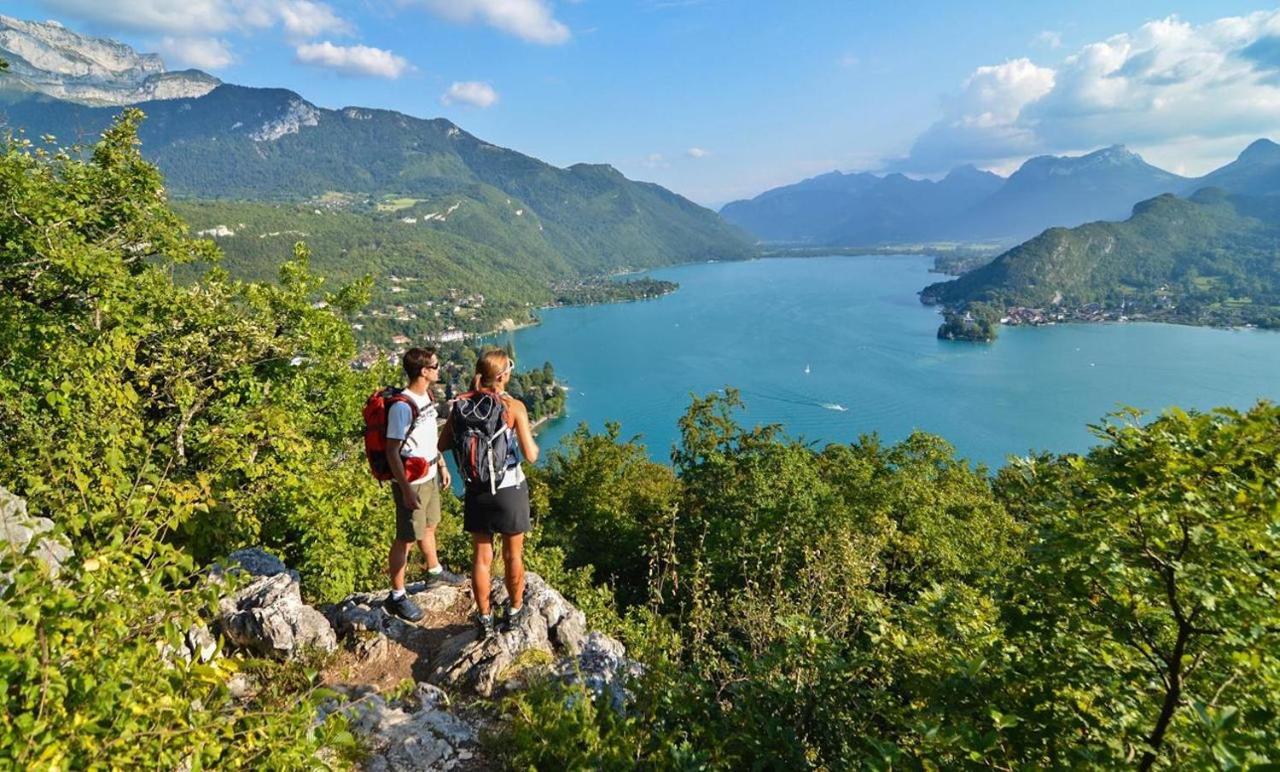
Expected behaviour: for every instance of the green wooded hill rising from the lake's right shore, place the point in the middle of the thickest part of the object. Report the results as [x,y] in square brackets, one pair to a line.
[1213,258]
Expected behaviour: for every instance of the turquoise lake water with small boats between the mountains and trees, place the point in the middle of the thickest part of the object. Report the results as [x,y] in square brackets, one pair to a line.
[871,349]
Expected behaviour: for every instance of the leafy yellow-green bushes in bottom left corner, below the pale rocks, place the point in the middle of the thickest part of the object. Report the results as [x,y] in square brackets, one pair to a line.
[88,682]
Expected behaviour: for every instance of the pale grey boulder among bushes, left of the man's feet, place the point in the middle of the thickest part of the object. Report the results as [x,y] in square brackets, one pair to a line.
[267,615]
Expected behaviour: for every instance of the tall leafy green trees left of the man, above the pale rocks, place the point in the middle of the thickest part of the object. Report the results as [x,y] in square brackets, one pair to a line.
[225,409]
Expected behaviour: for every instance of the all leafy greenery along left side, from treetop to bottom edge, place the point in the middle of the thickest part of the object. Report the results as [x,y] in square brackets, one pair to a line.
[161,426]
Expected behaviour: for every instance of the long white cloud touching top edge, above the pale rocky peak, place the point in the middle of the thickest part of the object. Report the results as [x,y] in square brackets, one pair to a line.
[299,19]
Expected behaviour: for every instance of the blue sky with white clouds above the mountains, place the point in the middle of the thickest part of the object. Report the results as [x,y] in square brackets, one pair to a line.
[721,99]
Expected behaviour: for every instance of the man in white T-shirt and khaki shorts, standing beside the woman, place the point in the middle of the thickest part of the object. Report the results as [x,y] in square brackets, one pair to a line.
[418,503]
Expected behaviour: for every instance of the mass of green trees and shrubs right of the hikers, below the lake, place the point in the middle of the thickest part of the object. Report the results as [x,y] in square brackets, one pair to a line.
[870,606]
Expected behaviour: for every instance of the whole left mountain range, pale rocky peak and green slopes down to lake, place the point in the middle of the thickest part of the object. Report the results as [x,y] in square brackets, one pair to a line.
[272,145]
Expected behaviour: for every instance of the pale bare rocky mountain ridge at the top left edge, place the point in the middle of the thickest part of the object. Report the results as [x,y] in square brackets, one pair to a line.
[48,58]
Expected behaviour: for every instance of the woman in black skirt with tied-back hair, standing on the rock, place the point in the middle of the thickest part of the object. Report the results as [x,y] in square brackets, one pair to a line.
[501,505]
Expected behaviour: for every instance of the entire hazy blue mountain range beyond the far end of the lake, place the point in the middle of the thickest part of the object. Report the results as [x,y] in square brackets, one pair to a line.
[967,205]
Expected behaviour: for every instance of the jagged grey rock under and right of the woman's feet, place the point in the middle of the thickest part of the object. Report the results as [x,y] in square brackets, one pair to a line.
[486,666]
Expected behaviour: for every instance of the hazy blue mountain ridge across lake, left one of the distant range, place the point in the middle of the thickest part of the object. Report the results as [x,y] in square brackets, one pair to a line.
[861,209]
